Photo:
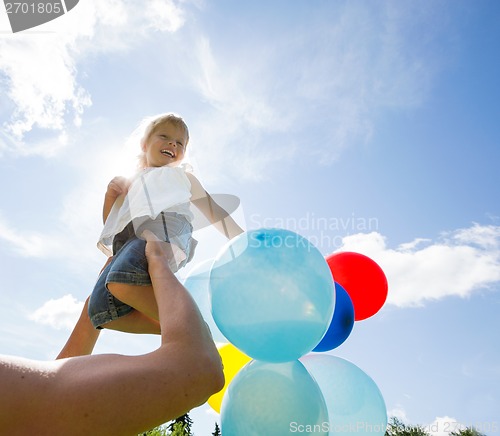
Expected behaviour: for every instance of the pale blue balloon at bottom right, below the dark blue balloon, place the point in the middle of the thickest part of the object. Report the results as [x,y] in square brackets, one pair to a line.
[355,404]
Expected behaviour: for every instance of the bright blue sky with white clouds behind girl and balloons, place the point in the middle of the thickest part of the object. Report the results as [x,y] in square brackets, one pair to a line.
[369,126]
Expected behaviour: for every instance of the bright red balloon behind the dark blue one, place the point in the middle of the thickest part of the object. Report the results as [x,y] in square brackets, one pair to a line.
[363,280]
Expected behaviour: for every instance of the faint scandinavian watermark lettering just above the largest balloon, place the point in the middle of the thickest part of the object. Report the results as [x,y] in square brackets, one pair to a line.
[321,231]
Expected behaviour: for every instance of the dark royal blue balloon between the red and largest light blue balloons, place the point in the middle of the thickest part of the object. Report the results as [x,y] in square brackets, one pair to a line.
[342,321]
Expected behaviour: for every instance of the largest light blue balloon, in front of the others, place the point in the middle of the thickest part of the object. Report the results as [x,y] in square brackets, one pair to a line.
[272,294]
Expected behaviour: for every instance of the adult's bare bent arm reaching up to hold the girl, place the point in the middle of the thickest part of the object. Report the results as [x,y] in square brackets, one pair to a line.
[114,394]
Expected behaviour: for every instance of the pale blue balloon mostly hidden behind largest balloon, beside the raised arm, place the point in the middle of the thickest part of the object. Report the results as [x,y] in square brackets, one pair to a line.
[197,283]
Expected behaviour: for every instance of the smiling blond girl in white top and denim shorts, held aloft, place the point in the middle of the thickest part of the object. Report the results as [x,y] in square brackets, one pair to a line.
[158,200]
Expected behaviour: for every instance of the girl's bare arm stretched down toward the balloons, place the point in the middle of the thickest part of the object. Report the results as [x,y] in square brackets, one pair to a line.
[214,213]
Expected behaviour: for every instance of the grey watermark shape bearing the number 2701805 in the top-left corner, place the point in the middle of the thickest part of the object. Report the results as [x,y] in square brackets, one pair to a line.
[27,14]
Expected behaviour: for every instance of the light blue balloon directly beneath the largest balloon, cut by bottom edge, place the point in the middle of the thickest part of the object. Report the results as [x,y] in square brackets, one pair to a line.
[273,399]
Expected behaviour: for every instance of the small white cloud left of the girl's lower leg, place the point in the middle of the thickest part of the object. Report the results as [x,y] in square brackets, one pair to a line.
[58,313]
